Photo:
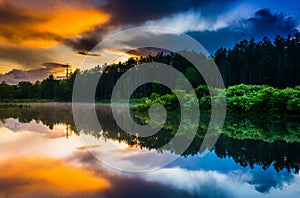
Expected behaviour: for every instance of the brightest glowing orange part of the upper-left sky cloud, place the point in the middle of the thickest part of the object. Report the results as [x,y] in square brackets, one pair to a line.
[50,27]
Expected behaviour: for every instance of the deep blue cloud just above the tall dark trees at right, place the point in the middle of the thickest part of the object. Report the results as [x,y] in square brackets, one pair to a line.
[263,23]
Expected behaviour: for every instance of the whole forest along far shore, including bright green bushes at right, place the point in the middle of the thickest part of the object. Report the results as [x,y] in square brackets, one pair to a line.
[272,67]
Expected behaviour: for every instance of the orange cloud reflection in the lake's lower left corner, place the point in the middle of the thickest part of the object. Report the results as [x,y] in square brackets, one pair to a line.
[46,176]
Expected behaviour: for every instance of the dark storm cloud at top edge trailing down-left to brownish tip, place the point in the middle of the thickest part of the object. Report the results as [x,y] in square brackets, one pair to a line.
[124,15]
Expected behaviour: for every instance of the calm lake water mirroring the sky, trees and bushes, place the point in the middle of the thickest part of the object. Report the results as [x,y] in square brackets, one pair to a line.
[43,154]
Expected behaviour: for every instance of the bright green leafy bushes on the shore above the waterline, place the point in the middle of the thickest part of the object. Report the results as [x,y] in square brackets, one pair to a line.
[239,98]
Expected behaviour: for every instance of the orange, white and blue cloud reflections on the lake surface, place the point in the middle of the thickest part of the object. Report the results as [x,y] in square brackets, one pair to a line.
[34,163]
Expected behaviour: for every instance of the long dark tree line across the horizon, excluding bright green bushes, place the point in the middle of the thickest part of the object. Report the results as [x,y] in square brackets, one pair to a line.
[274,63]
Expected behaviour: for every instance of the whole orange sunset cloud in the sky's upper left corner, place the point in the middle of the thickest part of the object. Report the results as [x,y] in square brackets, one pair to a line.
[45,27]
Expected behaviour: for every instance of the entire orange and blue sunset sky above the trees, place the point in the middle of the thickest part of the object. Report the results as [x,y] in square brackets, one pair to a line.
[37,38]
